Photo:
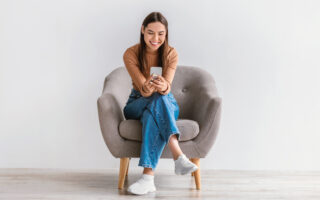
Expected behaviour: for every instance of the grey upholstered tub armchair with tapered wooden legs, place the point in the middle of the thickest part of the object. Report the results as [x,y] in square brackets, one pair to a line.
[198,121]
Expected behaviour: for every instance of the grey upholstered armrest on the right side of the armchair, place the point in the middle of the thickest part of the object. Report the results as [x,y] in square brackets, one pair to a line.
[207,112]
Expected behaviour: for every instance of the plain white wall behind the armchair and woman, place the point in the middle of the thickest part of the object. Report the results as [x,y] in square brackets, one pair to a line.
[264,55]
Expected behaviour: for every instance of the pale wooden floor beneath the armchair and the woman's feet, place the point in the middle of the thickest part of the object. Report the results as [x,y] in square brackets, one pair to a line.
[102,184]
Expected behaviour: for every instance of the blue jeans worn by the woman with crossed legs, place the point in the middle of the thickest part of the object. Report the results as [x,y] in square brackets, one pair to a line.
[157,114]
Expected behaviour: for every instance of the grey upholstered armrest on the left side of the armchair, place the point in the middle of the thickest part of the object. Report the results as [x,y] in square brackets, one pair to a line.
[110,116]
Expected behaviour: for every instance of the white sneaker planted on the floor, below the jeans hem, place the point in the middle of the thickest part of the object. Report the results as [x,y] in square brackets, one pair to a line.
[142,186]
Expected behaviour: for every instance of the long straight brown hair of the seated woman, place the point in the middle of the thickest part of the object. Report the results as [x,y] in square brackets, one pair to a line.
[153,17]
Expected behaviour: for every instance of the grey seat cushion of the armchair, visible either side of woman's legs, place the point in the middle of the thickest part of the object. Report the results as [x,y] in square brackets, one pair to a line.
[132,129]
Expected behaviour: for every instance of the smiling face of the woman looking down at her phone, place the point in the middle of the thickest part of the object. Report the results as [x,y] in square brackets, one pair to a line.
[154,35]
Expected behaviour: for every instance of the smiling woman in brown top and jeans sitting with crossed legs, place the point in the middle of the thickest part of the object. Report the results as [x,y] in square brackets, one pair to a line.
[152,102]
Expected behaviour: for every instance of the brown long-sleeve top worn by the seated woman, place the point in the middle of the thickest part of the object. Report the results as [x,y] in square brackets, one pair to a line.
[131,61]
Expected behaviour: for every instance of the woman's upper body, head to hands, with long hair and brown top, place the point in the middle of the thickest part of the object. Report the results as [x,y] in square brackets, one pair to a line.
[153,50]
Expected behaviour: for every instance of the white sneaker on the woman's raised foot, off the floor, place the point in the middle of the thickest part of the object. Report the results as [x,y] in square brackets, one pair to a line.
[184,166]
